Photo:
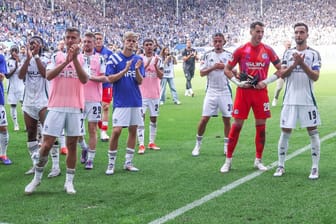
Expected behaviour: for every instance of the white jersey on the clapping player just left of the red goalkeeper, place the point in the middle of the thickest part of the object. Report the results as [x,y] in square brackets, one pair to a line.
[217,83]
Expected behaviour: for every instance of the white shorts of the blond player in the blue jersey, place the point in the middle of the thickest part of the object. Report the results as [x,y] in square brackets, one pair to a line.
[126,116]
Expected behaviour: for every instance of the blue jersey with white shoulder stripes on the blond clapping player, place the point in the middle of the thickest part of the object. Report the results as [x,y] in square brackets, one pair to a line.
[126,91]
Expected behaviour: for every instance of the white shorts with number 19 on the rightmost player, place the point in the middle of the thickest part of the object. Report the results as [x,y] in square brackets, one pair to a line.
[308,116]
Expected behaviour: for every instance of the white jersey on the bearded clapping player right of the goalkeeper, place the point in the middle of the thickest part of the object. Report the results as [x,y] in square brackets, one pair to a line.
[299,87]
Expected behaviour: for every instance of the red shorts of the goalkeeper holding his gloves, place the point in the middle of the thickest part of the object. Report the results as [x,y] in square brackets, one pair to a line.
[251,98]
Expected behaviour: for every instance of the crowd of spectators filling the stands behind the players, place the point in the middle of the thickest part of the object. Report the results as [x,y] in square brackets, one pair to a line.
[165,21]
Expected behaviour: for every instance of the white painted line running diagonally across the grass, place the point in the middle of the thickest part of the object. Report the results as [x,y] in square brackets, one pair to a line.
[231,186]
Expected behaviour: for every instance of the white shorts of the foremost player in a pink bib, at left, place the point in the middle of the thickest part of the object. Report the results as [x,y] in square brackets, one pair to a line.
[73,124]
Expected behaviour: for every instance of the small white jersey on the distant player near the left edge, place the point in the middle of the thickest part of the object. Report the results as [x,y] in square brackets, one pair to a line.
[15,85]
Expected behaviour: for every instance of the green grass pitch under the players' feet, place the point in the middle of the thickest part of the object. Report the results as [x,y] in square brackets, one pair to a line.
[171,178]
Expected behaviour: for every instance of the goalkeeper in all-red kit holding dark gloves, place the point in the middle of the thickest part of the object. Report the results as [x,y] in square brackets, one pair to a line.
[253,59]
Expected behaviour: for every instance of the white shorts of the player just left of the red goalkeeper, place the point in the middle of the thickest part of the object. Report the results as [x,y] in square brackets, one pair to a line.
[212,104]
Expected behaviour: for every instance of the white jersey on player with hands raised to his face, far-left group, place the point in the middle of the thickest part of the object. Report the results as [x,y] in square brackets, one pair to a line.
[37,87]
